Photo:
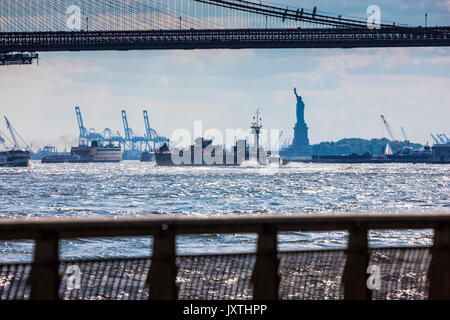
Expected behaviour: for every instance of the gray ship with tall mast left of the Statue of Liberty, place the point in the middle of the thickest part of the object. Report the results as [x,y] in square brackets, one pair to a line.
[204,153]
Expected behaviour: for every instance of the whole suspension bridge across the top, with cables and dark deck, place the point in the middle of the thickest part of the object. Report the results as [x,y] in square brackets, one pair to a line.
[28,27]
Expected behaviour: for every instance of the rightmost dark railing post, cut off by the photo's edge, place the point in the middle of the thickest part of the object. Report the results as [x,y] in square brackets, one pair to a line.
[439,270]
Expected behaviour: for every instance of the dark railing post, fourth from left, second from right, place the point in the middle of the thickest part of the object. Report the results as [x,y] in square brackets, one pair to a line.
[355,271]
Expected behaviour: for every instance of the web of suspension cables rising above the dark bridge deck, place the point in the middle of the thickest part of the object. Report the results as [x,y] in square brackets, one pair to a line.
[146,15]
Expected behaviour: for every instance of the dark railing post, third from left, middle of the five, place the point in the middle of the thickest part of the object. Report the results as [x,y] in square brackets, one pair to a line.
[265,276]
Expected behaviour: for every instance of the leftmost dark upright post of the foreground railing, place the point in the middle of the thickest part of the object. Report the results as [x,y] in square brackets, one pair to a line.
[44,277]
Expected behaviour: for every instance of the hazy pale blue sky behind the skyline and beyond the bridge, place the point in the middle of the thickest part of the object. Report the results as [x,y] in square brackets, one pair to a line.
[345,90]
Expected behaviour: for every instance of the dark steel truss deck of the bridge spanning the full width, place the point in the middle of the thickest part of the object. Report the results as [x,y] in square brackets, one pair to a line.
[223,39]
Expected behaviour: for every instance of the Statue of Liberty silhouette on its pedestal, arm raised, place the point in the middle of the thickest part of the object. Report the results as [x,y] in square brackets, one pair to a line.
[299,150]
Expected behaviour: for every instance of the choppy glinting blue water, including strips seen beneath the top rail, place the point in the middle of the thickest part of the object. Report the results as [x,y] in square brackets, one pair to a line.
[141,189]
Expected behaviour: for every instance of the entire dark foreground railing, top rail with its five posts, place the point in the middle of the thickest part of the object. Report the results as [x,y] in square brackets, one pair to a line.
[47,233]
